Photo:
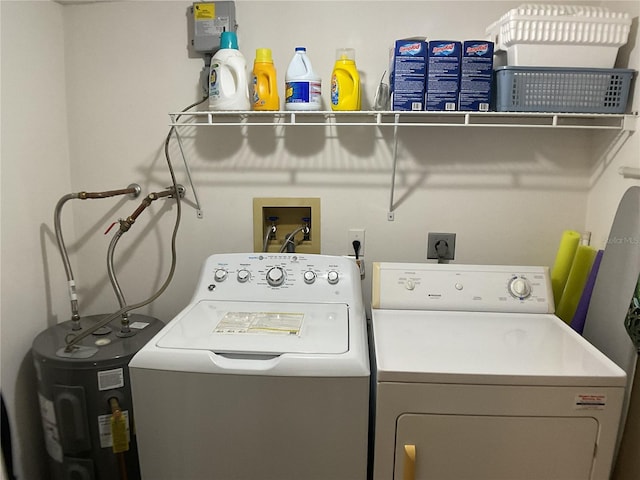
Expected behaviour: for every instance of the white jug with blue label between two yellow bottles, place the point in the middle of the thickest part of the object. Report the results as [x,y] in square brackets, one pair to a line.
[303,86]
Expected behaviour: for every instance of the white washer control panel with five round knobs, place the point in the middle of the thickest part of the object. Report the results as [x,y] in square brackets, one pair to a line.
[253,276]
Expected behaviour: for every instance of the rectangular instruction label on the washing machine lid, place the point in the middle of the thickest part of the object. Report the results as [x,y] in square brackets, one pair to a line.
[278,323]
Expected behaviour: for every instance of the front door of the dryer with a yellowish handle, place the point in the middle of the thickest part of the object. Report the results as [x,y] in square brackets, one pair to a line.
[454,447]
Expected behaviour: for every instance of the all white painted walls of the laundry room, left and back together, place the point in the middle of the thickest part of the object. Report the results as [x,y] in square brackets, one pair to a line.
[507,193]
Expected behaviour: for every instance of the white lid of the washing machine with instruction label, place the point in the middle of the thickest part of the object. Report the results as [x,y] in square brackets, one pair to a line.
[260,328]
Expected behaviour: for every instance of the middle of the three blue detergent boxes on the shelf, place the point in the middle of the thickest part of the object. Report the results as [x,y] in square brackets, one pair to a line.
[443,75]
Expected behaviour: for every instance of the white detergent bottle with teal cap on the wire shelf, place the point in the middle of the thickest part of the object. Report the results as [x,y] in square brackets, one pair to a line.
[228,82]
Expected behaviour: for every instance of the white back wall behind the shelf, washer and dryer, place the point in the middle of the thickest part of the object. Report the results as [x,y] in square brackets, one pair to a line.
[499,190]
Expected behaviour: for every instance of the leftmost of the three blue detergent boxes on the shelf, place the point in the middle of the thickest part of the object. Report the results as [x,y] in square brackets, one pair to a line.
[409,74]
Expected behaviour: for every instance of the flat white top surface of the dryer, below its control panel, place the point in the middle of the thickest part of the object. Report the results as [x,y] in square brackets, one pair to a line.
[486,348]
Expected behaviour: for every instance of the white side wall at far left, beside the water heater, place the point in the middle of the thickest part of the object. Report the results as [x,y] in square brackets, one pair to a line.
[35,172]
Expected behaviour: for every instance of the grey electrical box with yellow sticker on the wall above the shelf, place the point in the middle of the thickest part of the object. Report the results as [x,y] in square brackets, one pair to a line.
[209,20]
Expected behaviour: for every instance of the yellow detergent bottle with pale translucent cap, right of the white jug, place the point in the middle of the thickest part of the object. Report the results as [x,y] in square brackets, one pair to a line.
[345,81]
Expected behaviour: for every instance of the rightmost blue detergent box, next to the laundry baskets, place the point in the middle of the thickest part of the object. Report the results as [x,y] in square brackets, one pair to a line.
[476,76]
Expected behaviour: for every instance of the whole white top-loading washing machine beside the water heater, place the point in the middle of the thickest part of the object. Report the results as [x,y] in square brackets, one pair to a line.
[264,375]
